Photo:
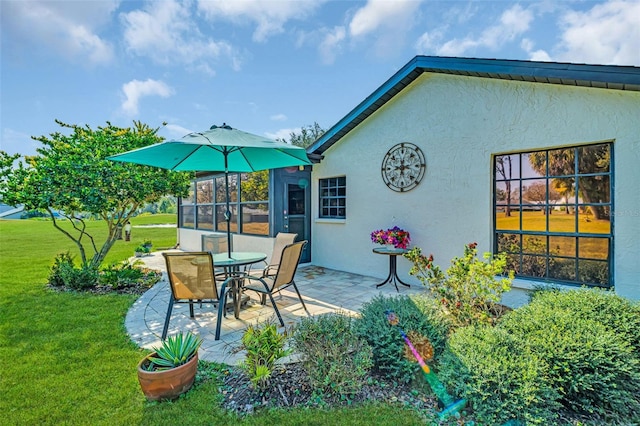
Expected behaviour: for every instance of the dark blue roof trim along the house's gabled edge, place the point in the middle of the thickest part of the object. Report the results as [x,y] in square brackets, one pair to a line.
[599,76]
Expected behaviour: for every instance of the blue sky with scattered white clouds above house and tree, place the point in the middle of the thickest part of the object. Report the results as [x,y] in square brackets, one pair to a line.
[265,67]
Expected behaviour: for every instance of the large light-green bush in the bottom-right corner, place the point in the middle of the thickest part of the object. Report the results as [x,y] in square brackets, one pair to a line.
[587,339]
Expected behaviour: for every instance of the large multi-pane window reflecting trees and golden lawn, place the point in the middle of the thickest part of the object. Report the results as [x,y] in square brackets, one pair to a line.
[552,213]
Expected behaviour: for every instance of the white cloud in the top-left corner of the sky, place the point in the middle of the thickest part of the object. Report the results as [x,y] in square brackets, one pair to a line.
[70,29]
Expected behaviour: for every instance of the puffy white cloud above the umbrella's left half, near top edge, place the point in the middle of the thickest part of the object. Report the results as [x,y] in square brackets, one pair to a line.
[166,32]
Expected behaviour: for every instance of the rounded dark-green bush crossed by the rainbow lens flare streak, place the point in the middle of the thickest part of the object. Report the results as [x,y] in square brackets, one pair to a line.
[418,314]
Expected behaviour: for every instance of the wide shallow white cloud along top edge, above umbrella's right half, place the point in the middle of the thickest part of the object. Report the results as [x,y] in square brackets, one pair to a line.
[268,16]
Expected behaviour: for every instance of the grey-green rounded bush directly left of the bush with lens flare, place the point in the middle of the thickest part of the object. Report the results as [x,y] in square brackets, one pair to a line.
[336,361]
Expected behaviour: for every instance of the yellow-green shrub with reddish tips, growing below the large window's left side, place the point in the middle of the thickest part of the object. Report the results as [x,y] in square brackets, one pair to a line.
[469,291]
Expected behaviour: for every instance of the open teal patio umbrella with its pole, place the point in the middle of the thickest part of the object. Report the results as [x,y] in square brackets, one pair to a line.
[221,148]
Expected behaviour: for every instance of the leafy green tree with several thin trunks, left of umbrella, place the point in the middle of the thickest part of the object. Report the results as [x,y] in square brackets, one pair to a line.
[71,176]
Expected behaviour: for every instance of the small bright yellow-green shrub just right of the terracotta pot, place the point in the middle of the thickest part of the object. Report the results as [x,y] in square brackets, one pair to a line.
[264,346]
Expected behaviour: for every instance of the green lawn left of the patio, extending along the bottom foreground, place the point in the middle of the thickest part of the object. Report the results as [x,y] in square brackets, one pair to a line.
[67,358]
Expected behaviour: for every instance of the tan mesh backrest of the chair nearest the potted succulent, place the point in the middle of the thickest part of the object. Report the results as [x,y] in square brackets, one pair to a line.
[191,275]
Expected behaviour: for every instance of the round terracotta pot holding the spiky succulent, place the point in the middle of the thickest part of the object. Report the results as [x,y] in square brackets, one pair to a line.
[167,384]
